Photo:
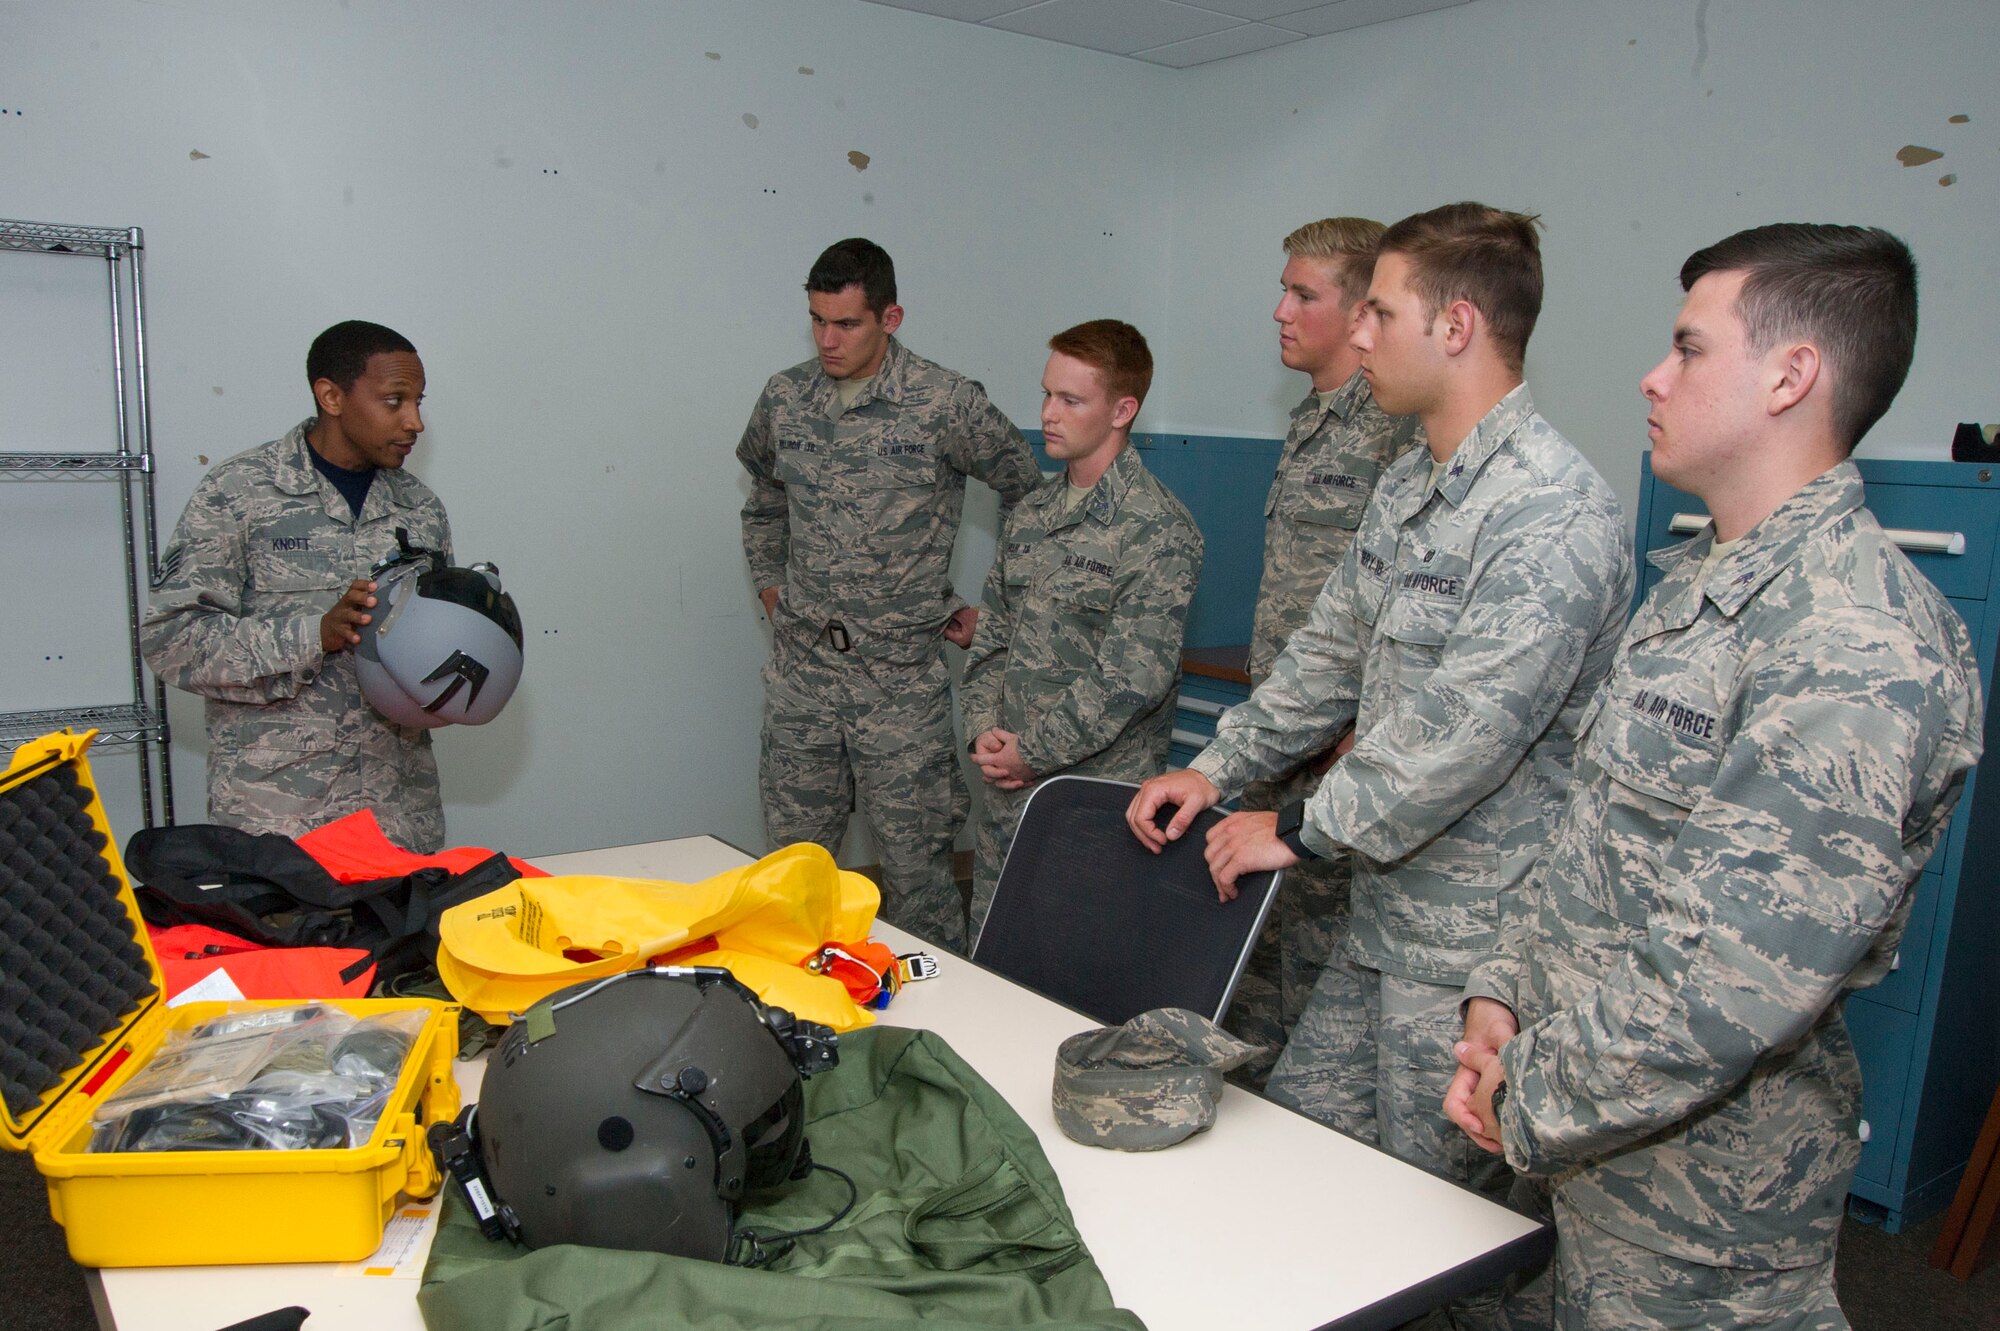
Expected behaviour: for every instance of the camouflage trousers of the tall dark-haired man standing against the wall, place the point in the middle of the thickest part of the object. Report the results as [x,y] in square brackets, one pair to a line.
[843,734]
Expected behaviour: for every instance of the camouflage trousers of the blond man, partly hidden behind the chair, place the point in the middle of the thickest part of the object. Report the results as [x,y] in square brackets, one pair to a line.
[1299,942]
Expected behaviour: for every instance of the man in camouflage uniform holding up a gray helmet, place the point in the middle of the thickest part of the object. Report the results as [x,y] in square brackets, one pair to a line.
[265,589]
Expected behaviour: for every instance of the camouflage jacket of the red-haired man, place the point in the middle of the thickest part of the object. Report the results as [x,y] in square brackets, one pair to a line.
[1079,645]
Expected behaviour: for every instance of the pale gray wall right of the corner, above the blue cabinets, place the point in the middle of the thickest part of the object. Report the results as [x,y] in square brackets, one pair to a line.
[1641,131]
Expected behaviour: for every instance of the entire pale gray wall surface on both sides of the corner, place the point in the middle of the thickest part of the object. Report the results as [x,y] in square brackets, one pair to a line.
[569,213]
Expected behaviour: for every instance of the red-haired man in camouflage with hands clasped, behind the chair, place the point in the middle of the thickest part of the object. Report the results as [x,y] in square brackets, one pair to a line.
[1077,657]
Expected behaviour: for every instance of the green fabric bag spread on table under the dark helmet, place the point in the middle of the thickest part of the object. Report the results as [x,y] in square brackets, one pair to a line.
[959,1222]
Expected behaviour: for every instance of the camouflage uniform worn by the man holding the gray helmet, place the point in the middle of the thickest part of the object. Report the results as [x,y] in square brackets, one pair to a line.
[261,555]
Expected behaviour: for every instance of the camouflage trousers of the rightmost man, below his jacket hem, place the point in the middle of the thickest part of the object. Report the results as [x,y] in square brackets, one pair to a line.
[1599,1282]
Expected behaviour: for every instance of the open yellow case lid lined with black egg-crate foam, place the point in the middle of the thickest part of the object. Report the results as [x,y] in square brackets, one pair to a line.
[77,970]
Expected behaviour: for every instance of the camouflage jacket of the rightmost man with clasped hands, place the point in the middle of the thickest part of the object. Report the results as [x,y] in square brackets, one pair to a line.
[1759,784]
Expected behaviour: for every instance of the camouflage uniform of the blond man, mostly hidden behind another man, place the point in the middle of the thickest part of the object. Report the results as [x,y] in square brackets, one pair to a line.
[1333,455]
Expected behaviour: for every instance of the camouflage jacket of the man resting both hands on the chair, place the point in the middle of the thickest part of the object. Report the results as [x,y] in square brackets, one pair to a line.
[1463,639]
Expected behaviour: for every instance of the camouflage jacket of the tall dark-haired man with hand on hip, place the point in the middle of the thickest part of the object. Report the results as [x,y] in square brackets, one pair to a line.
[855,517]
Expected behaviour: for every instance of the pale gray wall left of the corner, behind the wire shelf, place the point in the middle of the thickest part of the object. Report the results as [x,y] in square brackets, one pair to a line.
[569,213]
